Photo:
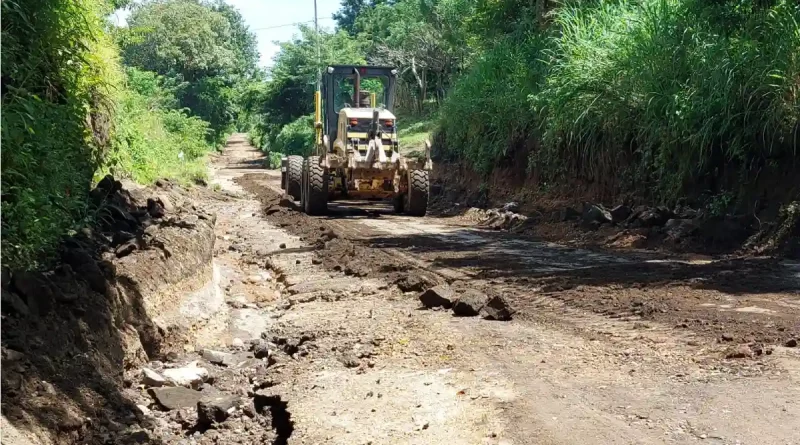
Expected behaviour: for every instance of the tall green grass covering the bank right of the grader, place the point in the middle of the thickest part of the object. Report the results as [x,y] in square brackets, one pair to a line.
[662,93]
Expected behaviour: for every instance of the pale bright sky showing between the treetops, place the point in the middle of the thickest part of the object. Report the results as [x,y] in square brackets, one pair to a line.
[277,15]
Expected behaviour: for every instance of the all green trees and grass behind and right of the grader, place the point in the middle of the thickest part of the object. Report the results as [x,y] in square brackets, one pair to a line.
[650,96]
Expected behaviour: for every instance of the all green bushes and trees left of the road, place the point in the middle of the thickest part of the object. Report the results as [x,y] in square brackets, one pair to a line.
[72,112]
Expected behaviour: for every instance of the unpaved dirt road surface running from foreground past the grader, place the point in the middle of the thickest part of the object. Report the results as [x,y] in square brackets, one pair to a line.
[603,349]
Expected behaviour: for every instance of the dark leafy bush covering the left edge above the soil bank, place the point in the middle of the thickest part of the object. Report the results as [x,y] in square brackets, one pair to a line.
[58,68]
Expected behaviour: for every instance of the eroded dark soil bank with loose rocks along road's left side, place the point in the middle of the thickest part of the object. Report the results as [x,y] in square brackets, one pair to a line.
[73,335]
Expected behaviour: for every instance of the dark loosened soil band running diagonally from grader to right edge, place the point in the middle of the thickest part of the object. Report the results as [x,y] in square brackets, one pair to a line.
[750,301]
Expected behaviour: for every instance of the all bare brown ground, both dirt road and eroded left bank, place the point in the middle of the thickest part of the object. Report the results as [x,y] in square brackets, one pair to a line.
[311,332]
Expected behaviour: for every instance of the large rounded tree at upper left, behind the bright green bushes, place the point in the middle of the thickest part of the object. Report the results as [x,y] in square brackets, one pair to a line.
[205,49]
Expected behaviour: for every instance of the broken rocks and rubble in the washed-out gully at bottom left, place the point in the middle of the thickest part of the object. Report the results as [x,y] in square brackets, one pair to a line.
[215,396]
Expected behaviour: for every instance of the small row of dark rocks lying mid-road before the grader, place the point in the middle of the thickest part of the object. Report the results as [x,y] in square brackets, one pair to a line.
[466,302]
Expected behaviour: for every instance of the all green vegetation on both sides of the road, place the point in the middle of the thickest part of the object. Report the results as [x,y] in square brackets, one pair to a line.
[654,97]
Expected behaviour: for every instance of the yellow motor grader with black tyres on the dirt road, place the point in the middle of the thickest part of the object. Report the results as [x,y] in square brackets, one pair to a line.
[357,154]
